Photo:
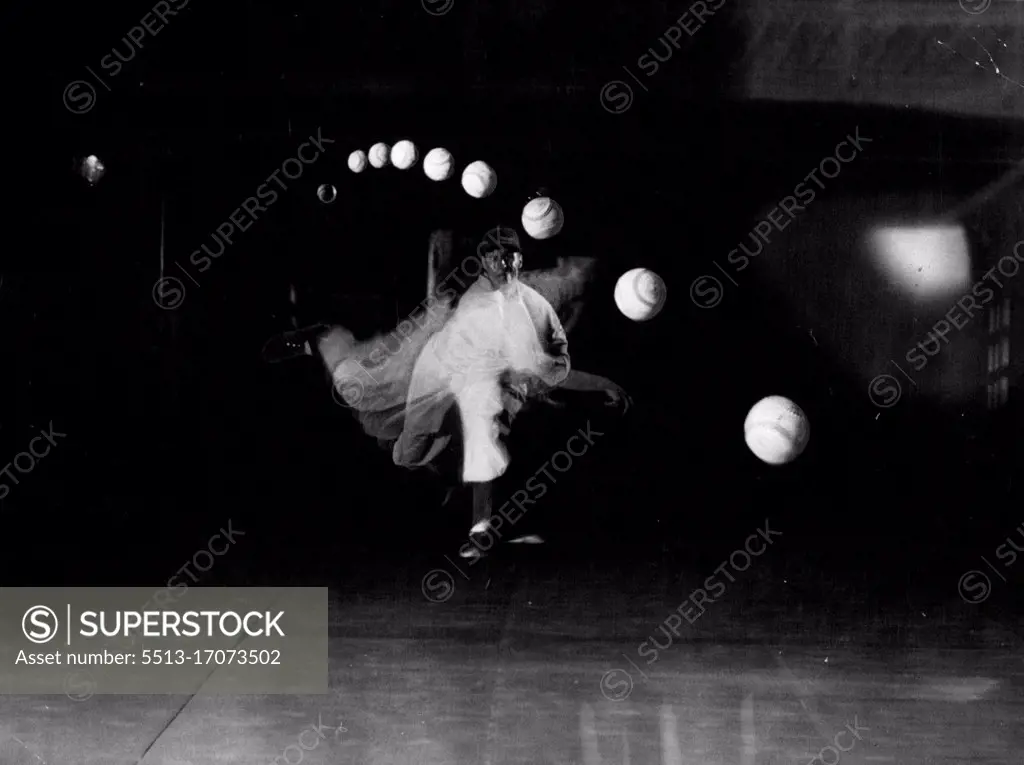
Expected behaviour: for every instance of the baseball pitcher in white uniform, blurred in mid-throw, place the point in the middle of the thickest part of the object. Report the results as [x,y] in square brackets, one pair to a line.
[484,355]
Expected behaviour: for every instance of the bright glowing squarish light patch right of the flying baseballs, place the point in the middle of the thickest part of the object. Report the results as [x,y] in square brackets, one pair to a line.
[924,262]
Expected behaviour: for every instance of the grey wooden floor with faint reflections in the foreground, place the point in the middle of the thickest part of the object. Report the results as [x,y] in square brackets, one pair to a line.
[546,670]
